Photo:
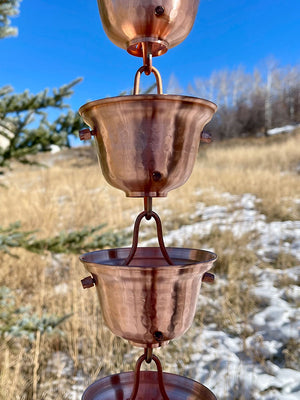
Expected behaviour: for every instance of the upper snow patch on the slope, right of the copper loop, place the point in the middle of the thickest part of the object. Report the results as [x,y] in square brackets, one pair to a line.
[271,238]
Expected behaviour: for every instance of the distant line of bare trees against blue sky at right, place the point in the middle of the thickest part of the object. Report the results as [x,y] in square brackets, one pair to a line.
[251,104]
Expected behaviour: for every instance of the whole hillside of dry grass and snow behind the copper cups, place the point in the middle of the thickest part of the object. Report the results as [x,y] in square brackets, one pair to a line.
[242,201]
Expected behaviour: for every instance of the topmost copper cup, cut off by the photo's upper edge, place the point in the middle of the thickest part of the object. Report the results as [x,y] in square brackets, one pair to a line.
[161,23]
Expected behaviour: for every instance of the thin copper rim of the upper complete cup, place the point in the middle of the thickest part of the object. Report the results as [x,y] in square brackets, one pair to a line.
[148,97]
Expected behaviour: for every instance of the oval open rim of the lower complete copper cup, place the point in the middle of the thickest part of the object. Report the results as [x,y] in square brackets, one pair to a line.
[93,258]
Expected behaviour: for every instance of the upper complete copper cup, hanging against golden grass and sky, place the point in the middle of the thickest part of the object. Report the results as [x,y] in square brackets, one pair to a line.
[147,144]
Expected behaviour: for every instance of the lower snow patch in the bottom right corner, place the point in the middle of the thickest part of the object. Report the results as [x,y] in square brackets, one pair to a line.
[221,361]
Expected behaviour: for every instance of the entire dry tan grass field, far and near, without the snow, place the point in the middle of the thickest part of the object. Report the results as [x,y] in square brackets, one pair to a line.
[40,360]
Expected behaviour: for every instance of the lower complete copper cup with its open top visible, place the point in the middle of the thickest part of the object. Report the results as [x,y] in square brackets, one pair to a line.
[148,302]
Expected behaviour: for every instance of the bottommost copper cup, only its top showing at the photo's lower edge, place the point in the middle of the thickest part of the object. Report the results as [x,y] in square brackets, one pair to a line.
[119,387]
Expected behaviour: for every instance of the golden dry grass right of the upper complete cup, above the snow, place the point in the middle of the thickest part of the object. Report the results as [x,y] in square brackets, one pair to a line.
[267,168]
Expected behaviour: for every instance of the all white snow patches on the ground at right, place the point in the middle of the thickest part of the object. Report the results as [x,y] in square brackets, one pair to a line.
[221,361]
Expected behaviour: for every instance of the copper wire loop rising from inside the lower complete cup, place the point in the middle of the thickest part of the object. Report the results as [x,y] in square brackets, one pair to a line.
[136,237]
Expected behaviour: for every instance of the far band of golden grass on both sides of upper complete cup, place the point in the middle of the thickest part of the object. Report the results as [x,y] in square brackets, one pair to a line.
[72,192]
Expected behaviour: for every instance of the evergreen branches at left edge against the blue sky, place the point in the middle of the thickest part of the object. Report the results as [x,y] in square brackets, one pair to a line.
[24,125]
